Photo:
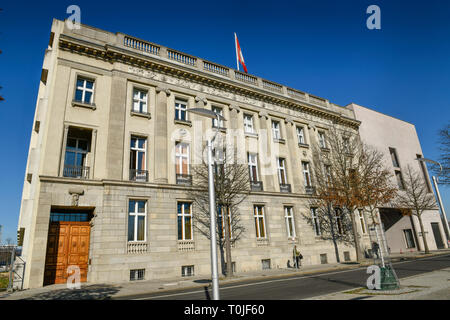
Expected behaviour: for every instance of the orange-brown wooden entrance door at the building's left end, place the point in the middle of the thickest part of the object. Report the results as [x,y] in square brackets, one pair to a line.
[68,244]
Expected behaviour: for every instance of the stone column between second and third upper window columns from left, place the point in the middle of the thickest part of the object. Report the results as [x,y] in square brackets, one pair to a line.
[161,136]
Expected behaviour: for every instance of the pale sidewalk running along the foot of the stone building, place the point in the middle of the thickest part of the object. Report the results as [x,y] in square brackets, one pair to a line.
[119,290]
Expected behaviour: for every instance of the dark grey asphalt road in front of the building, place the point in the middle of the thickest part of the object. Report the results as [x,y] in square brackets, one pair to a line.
[301,287]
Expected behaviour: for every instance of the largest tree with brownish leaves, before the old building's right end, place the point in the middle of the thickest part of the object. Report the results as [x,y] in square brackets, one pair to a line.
[349,175]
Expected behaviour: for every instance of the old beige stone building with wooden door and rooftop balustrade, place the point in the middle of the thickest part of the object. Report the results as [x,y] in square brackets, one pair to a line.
[108,177]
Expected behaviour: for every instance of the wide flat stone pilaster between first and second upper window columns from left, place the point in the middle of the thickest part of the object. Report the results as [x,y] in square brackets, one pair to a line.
[116,129]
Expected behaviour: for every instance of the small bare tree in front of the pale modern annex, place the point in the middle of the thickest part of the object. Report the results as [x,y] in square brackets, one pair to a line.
[415,199]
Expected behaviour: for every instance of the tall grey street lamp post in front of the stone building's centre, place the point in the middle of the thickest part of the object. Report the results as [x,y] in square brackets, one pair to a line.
[212,201]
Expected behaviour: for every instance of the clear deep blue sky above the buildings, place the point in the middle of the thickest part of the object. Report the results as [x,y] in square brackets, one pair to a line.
[321,47]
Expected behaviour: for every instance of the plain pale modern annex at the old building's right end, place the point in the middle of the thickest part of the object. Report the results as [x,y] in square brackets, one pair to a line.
[401,147]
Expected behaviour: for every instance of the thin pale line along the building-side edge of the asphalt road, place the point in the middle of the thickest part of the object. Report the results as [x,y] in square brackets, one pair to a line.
[280,280]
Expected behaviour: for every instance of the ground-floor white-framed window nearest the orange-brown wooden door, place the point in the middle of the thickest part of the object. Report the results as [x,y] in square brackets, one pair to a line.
[137,220]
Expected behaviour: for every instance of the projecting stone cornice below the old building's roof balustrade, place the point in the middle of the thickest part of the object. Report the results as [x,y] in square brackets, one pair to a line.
[112,53]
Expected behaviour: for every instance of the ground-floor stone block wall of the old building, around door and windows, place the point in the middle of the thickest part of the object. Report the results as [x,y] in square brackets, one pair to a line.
[162,255]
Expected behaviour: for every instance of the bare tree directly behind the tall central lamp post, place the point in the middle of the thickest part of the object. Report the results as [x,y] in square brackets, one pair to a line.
[231,186]
